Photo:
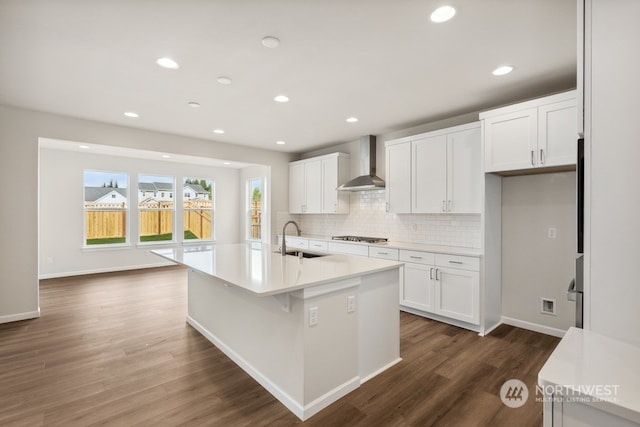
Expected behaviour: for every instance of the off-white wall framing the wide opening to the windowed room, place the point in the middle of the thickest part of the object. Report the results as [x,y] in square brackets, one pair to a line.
[19,133]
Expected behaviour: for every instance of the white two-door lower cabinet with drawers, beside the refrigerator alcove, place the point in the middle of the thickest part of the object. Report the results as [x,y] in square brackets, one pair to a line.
[445,285]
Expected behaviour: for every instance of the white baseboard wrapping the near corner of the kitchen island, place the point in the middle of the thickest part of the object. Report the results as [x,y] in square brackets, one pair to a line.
[302,412]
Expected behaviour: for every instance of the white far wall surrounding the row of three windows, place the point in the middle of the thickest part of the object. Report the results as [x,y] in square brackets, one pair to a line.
[61,236]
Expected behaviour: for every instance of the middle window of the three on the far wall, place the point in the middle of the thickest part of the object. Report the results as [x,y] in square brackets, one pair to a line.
[156,217]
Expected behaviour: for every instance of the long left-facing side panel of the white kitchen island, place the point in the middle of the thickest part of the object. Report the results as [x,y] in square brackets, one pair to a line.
[255,332]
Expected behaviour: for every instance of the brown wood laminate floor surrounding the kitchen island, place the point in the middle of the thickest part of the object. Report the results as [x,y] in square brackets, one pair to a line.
[114,349]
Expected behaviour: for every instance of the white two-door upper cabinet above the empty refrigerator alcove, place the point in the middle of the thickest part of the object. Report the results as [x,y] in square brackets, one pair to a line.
[540,133]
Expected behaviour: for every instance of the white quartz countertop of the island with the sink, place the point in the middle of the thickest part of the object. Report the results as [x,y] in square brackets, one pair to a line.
[260,269]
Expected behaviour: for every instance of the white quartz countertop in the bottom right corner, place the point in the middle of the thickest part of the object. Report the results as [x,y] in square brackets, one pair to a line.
[599,367]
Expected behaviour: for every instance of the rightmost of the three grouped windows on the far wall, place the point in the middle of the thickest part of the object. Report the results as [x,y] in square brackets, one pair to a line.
[198,209]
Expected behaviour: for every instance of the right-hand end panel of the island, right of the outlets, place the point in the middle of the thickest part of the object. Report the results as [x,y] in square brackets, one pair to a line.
[379,322]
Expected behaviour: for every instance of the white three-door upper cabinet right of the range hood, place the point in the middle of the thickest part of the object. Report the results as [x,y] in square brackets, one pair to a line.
[435,172]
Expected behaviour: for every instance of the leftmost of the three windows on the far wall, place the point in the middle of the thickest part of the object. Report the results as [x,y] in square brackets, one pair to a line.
[106,207]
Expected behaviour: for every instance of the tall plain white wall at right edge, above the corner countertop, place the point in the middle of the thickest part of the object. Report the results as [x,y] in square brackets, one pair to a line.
[612,150]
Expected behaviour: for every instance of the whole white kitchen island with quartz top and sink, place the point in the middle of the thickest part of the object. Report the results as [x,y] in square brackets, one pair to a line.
[308,330]
